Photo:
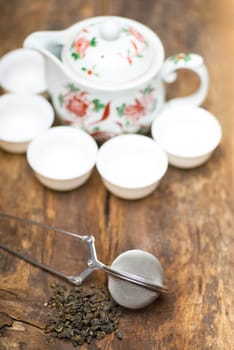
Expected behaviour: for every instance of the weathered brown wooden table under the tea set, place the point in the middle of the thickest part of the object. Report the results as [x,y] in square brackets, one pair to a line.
[187,222]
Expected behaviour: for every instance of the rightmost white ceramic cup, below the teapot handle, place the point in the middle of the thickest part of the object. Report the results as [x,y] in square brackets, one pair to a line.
[188,134]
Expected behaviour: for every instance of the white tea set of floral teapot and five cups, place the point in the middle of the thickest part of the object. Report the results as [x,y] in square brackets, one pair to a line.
[105,77]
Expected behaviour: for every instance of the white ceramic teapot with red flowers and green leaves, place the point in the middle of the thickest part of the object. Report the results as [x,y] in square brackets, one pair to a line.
[106,75]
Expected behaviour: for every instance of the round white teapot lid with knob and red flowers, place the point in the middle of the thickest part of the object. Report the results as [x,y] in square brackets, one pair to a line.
[113,51]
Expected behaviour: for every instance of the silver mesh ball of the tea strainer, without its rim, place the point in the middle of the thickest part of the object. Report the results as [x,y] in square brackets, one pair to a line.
[140,263]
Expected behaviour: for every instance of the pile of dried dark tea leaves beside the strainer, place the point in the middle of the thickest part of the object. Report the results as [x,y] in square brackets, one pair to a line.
[78,315]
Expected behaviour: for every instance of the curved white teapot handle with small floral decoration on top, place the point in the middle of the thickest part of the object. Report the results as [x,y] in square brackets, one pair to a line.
[191,62]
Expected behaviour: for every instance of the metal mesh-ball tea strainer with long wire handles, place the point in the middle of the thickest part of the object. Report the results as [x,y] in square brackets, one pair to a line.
[135,278]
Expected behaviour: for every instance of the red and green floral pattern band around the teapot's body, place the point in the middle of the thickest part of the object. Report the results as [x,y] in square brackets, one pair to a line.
[96,116]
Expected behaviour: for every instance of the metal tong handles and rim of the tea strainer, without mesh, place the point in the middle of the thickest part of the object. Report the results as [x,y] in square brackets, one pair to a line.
[93,263]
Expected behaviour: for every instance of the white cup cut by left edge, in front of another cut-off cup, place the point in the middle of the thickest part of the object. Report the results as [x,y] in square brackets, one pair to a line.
[22,118]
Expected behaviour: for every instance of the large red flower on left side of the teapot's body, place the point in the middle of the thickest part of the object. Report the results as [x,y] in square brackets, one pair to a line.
[77,104]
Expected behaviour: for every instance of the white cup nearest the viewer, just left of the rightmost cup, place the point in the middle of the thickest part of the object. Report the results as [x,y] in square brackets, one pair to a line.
[131,166]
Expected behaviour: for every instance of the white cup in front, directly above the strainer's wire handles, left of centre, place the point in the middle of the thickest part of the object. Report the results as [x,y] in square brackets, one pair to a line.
[63,157]
